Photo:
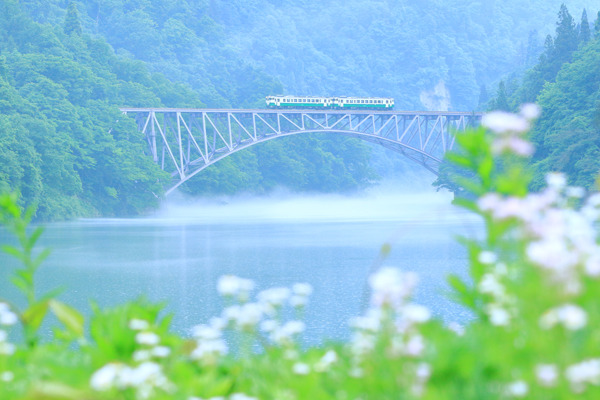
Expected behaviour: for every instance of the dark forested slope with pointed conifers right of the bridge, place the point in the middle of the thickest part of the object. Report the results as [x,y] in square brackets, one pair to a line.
[566,84]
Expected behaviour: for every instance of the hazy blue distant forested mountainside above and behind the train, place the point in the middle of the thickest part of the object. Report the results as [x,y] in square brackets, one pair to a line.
[426,54]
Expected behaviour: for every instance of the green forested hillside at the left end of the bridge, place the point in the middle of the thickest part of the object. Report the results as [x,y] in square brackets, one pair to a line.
[63,142]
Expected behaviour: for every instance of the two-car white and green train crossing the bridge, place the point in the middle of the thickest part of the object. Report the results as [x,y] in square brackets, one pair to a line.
[336,103]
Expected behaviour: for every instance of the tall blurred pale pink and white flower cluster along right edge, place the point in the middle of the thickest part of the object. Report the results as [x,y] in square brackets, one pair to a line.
[550,236]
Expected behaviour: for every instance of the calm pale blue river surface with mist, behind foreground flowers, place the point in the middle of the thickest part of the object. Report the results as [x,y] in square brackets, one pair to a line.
[330,242]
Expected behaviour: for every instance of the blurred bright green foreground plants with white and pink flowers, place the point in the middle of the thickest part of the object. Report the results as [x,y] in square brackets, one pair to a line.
[534,278]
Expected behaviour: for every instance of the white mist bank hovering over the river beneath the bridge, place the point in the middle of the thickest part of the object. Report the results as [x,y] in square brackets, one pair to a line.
[390,201]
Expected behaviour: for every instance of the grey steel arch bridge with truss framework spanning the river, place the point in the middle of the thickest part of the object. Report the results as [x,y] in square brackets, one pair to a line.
[185,141]
